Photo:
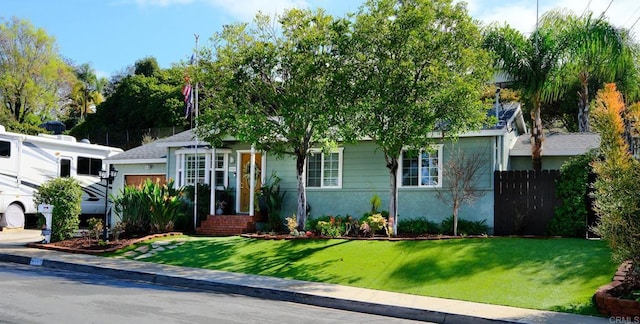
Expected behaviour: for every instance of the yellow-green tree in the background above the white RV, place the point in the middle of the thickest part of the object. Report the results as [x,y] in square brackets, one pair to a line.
[33,77]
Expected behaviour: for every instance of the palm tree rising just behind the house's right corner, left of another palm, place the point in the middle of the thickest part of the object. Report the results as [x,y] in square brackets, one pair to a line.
[530,62]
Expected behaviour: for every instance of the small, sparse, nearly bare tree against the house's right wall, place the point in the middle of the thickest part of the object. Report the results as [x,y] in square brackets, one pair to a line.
[461,174]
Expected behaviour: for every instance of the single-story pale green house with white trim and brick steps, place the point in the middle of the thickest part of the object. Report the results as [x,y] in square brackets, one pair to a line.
[341,182]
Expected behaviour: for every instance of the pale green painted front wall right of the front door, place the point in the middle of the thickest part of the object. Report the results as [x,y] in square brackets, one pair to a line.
[365,174]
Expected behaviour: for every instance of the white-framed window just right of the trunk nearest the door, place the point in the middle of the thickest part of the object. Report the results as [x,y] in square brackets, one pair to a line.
[324,170]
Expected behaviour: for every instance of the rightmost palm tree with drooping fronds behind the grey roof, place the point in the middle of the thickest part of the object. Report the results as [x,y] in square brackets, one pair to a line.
[592,49]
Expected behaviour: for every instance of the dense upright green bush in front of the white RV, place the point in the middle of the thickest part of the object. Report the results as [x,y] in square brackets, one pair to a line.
[65,194]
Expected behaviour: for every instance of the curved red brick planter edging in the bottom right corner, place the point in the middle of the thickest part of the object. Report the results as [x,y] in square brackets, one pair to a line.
[614,306]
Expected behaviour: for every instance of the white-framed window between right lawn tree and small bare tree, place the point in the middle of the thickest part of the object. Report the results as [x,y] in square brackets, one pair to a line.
[423,169]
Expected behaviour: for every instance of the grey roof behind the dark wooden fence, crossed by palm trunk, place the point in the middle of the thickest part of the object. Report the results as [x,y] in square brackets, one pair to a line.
[557,144]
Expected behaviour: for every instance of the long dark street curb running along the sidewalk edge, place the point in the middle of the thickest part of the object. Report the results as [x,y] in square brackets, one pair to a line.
[258,292]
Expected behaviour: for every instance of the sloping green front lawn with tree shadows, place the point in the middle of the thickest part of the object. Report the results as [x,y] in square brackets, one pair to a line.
[548,274]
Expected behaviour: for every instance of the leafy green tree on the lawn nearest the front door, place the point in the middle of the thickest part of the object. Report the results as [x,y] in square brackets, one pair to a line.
[272,85]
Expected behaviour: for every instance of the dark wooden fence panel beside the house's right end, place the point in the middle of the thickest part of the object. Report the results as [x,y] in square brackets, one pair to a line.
[524,201]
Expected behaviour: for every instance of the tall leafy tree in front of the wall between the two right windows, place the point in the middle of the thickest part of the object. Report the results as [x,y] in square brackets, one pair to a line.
[415,67]
